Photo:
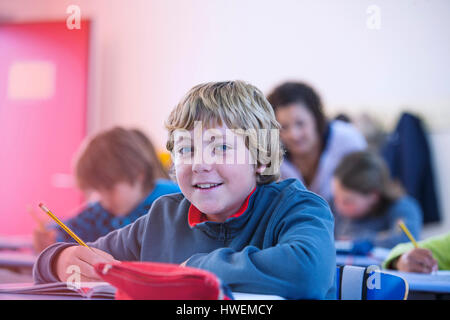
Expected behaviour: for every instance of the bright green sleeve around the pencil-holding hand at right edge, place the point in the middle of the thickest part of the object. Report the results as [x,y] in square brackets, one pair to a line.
[439,246]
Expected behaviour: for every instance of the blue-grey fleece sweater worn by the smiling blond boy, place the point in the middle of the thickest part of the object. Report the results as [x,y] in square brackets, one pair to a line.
[282,244]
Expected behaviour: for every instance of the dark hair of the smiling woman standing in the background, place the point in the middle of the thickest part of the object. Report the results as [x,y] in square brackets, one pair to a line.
[297,92]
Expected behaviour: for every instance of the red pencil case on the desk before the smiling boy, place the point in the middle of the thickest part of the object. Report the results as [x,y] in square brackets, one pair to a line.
[161,281]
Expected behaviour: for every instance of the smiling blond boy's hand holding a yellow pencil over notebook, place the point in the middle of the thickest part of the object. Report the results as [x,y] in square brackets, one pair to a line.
[81,259]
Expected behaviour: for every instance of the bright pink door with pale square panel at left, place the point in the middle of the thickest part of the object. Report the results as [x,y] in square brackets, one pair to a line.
[43,76]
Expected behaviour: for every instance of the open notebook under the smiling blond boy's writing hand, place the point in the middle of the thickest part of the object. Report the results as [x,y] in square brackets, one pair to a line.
[87,290]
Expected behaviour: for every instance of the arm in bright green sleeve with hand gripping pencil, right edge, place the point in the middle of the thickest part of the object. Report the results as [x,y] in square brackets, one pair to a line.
[432,254]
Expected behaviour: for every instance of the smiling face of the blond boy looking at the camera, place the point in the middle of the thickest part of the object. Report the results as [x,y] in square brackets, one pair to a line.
[214,169]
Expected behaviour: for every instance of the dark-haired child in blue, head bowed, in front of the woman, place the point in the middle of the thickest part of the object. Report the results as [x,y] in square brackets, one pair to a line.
[368,204]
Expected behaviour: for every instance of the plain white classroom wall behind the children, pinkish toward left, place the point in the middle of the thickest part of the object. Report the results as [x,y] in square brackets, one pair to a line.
[148,53]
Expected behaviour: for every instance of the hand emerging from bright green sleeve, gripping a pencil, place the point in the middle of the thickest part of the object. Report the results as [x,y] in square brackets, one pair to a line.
[416,260]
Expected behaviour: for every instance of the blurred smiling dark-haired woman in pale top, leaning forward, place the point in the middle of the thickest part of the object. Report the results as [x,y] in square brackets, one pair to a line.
[313,145]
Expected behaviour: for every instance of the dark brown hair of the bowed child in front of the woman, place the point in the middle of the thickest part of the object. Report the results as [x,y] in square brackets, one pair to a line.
[365,172]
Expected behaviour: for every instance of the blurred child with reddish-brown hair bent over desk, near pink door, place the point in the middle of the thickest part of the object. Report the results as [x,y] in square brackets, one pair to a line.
[121,168]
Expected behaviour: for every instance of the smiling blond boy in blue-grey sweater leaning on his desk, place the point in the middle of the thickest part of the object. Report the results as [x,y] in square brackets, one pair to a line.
[232,217]
